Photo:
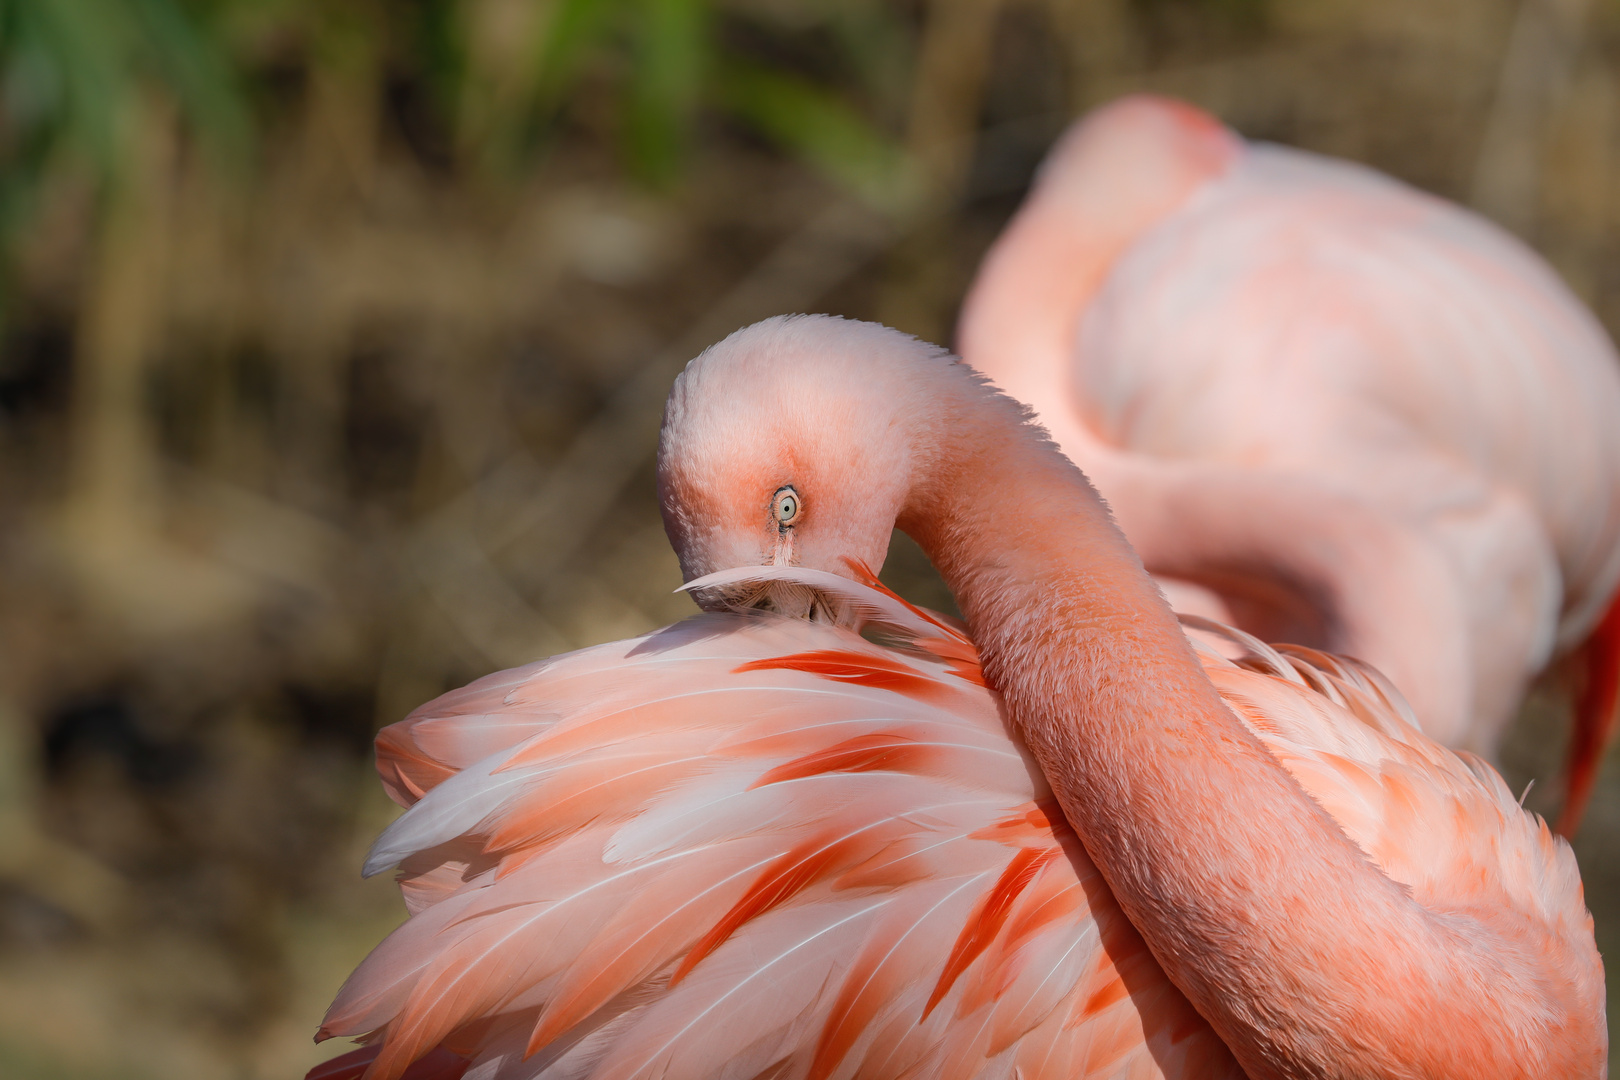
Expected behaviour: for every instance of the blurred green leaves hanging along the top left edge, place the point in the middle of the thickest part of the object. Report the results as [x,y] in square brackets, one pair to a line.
[500,75]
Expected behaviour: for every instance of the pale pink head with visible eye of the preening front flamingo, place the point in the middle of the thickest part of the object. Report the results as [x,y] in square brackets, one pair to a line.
[796,443]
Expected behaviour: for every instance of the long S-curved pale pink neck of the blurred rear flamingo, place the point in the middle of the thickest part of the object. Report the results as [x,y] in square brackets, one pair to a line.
[1289,561]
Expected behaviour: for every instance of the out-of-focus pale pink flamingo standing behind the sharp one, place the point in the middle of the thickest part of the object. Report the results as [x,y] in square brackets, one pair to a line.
[1326,407]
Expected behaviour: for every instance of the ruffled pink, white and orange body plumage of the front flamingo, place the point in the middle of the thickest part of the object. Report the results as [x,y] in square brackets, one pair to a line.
[762,846]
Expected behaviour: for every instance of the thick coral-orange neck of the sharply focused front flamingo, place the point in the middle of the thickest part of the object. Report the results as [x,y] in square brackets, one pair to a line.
[1305,958]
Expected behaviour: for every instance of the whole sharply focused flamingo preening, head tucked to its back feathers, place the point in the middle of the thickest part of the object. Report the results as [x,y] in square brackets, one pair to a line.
[1065,841]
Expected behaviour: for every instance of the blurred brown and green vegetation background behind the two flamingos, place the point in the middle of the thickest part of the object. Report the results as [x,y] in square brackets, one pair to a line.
[333,347]
